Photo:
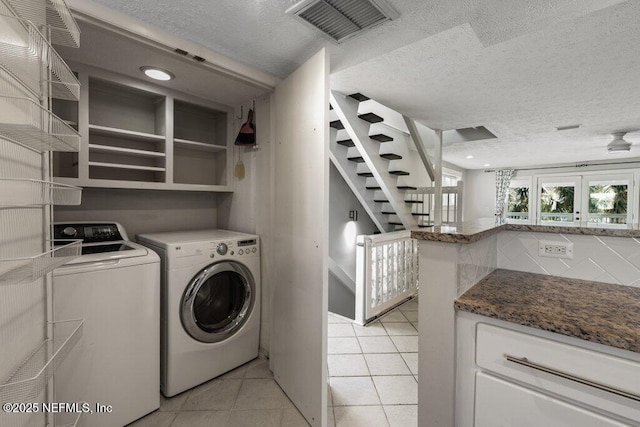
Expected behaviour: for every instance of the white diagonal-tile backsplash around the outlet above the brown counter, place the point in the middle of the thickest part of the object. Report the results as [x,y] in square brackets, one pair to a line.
[604,259]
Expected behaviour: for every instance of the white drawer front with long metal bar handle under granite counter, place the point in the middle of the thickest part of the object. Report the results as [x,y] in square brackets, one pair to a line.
[597,379]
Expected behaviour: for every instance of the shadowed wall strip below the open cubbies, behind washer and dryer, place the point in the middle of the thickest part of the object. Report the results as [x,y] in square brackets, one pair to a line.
[144,211]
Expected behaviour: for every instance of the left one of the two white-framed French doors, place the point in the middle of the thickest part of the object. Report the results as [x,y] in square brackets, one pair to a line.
[559,200]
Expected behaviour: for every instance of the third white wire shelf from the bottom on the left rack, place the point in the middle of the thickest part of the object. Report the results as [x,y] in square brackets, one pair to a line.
[17,192]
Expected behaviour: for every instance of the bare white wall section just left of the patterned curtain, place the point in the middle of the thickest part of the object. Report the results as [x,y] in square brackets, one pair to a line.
[478,200]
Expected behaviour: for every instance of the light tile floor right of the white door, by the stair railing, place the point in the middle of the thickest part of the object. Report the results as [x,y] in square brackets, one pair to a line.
[373,370]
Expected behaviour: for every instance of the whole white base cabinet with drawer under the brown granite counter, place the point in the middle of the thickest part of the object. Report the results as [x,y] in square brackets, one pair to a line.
[511,375]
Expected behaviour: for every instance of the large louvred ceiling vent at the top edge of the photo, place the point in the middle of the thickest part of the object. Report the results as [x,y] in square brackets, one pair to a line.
[342,19]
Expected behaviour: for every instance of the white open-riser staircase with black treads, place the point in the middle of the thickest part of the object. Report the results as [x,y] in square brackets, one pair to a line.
[371,147]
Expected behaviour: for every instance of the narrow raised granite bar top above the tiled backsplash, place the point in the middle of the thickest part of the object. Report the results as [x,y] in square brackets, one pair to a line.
[469,232]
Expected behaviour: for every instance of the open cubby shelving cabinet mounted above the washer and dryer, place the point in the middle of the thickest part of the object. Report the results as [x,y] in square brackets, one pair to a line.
[137,135]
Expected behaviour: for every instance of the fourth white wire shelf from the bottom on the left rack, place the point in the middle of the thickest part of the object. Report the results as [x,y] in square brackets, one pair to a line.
[25,121]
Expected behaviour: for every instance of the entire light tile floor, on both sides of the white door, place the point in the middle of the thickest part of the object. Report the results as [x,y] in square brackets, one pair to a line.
[372,377]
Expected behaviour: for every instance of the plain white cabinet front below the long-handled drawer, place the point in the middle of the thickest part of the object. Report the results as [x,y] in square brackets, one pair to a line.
[501,403]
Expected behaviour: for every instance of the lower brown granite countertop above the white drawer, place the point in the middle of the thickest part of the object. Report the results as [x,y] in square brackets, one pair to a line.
[593,311]
